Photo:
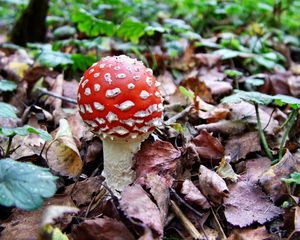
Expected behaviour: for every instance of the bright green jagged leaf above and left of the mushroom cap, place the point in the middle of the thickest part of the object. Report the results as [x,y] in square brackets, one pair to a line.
[92,26]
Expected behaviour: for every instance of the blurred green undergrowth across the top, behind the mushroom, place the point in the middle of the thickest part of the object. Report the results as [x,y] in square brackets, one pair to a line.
[81,30]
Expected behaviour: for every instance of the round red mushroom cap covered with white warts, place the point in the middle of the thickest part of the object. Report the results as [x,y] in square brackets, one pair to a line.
[118,97]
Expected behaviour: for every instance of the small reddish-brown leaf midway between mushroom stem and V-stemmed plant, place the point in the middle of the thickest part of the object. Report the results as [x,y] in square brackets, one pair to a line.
[208,147]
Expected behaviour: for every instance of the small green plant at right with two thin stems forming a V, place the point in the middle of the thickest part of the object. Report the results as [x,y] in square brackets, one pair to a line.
[257,99]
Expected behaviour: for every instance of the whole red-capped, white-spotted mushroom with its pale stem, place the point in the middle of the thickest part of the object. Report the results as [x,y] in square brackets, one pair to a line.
[118,98]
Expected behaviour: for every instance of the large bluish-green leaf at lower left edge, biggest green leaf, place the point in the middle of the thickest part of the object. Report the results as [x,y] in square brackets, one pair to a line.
[24,185]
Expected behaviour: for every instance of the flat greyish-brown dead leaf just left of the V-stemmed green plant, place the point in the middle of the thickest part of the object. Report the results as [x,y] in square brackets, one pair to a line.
[238,146]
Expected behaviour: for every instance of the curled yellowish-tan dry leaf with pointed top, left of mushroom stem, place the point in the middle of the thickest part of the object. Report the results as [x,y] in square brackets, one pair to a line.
[62,154]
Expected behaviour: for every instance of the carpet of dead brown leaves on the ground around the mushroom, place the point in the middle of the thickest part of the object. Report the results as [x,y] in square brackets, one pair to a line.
[207,160]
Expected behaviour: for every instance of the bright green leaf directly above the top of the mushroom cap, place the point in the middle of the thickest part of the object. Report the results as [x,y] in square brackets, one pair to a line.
[131,29]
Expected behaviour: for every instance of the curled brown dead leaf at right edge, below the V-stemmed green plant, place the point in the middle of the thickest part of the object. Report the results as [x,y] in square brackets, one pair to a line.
[271,179]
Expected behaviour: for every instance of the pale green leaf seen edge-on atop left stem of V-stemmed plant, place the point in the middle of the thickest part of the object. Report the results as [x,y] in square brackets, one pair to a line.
[254,97]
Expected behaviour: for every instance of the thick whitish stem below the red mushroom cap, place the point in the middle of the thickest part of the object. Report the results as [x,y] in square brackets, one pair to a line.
[118,163]
